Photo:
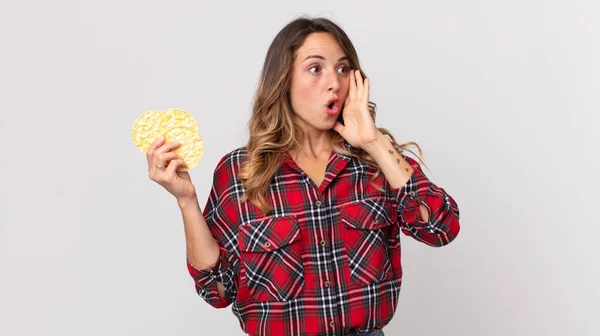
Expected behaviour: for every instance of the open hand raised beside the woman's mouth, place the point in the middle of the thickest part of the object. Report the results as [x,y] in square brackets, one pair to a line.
[359,128]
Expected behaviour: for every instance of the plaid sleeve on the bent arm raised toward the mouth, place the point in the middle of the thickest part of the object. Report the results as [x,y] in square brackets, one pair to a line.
[442,226]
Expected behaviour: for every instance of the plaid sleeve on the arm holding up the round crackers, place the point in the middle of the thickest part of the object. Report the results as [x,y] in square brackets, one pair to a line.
[221,216]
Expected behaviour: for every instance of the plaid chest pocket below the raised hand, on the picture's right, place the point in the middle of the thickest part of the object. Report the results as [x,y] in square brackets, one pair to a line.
[366,224]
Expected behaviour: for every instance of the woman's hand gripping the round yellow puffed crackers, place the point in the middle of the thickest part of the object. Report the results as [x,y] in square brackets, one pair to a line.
[163,165]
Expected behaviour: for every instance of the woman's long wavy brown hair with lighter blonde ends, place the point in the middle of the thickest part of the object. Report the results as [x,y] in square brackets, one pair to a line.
[271,125]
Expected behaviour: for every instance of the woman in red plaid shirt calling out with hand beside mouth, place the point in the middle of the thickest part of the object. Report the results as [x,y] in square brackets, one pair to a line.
[301,231]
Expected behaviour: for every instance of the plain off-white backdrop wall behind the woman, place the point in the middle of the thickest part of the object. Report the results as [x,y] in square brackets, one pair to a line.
[503,96]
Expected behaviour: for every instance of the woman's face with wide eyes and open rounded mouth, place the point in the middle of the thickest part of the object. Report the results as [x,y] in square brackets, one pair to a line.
[320,73]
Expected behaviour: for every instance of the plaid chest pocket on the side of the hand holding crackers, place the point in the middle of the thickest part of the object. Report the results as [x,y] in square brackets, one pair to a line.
[271,253]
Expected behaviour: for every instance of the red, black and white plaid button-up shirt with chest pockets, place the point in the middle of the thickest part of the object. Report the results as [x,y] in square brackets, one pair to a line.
[326,260]
